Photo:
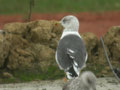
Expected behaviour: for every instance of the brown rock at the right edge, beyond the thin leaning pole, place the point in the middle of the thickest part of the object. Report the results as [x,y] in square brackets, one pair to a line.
[112,41]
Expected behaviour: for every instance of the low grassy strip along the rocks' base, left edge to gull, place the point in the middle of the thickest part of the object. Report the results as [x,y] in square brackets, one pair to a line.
[52,73]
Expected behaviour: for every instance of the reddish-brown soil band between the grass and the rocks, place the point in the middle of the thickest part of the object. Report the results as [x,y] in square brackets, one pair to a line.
[97,23]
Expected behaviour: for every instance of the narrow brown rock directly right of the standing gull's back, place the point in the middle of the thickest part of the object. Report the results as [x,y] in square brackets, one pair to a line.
[91,42]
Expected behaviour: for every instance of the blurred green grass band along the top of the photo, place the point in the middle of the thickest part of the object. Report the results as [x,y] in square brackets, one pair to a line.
[58,6]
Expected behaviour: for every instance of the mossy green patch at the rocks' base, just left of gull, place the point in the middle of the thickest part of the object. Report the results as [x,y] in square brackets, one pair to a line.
[53,73]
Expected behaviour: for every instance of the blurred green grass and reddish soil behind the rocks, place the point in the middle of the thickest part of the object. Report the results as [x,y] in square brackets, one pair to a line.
[96,16]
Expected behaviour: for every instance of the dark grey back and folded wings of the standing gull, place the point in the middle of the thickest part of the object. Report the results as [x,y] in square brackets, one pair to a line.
[75,44]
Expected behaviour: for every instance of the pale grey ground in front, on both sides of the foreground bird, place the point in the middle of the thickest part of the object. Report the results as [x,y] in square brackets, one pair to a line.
[102,84]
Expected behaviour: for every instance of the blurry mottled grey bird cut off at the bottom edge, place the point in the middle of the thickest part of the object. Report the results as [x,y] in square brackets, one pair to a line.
[87,81]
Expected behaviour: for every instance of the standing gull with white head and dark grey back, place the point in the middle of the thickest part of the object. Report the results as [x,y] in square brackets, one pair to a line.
[71,54]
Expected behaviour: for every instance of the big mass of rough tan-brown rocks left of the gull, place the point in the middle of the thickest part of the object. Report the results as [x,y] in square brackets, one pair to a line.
[30,45]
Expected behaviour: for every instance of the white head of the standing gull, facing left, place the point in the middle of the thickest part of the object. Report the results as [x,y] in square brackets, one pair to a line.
[70,23]
